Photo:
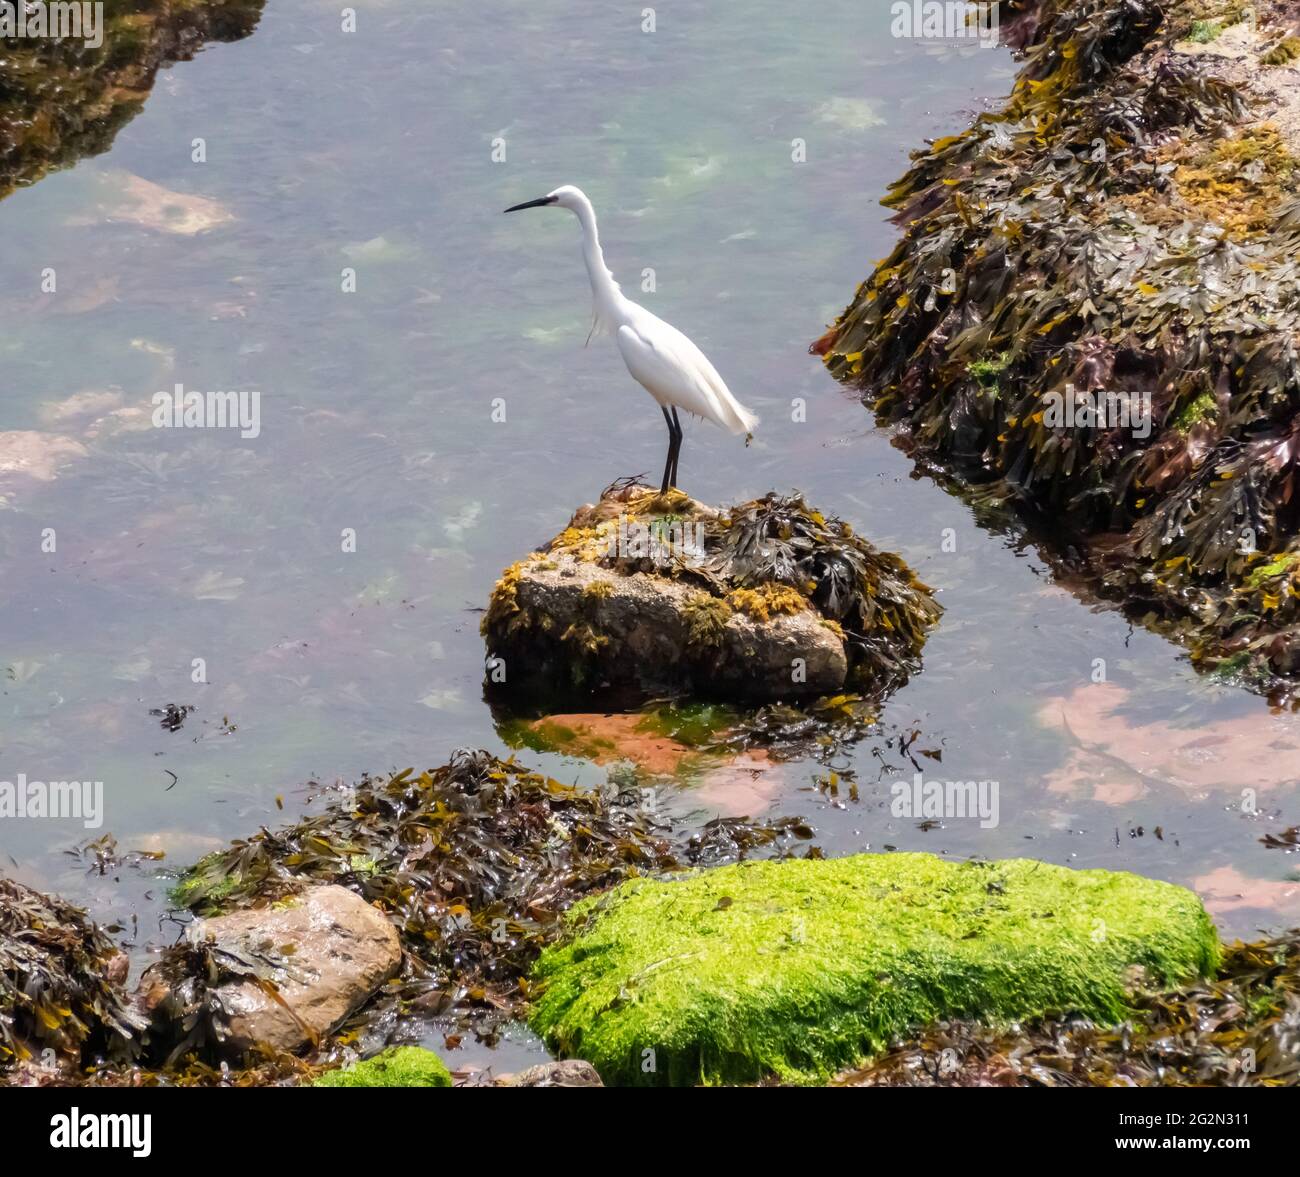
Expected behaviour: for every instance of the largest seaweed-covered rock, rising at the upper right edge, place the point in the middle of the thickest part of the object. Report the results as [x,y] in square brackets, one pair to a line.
[1094,313]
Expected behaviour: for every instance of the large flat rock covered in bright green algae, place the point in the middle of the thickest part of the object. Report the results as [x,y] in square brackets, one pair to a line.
[801,968]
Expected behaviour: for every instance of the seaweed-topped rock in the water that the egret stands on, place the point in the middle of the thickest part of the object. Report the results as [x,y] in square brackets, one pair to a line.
[658,592]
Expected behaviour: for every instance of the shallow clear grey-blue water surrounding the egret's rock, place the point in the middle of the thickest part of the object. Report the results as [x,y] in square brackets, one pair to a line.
[375,152]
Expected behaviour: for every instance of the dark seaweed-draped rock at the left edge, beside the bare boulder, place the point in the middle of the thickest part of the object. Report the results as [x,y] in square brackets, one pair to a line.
[60,984]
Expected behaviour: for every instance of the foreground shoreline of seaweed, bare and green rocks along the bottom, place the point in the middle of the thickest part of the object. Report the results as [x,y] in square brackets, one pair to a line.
[483,893]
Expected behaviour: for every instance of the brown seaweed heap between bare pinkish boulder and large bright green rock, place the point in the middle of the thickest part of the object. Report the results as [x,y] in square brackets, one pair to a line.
[471,863]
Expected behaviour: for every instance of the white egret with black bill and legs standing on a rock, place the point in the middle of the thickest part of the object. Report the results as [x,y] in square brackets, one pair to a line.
[661,360]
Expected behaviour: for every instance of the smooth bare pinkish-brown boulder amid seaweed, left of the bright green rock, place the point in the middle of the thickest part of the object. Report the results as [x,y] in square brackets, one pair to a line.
[326,950]
